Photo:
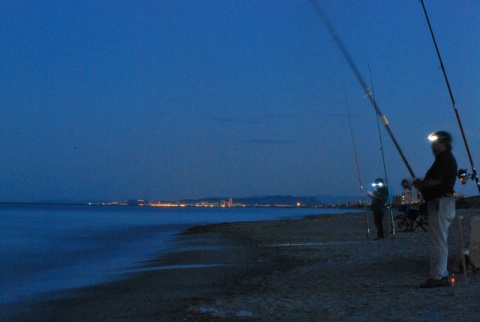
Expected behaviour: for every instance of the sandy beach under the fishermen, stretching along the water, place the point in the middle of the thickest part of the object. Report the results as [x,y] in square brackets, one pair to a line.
[320,268]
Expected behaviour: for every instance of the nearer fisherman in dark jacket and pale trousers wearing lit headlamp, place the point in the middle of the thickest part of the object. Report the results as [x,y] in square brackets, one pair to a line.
[437,190]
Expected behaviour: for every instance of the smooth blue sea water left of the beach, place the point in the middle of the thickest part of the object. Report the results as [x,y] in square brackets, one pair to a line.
[53,248]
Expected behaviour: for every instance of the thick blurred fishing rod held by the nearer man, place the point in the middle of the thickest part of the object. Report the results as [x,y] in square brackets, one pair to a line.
[362,82]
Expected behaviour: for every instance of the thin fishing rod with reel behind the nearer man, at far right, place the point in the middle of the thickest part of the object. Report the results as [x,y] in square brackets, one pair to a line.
[462,174]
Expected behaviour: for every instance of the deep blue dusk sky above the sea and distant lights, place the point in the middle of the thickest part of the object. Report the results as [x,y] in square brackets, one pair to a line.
[187,99]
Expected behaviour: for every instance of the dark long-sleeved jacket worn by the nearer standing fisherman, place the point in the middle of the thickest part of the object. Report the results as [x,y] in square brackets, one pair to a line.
[444,169]
